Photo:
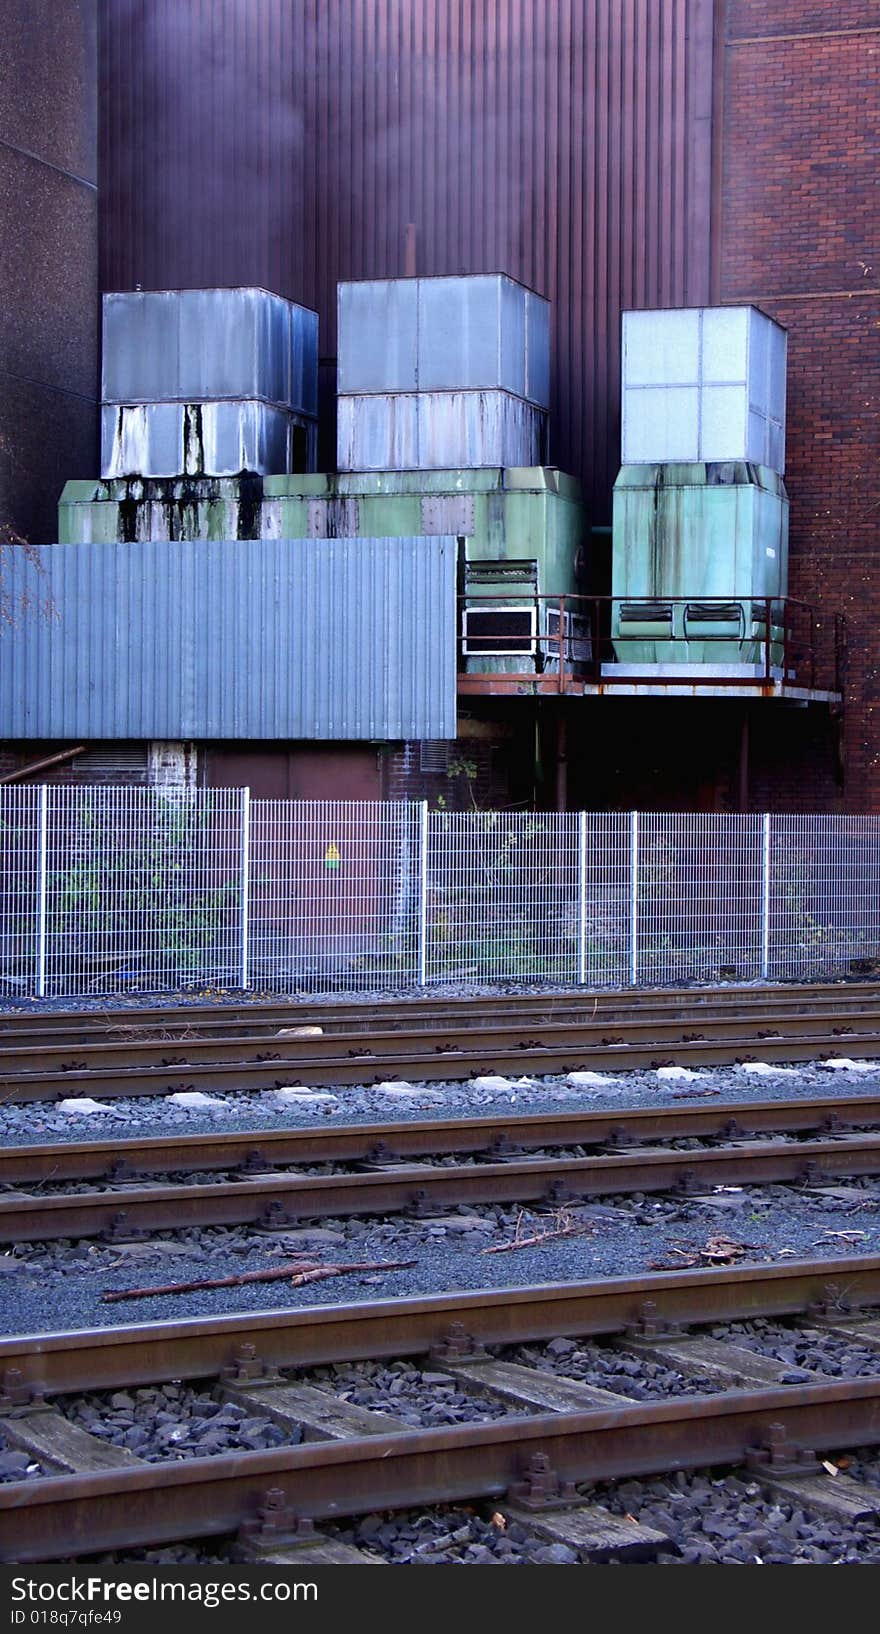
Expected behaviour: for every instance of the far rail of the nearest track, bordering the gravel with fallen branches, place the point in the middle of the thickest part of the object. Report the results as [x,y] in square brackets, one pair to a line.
[316,1336]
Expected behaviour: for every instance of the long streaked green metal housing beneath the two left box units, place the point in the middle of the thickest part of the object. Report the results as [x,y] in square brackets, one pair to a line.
[523,532]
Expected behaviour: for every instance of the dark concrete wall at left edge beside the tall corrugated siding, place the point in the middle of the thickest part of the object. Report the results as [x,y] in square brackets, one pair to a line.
[50,262]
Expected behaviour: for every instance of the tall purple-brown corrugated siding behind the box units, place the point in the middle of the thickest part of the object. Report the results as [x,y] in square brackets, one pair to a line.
[290,146]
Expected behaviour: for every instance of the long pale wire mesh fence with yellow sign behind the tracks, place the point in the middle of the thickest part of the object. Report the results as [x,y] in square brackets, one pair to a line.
[141,890]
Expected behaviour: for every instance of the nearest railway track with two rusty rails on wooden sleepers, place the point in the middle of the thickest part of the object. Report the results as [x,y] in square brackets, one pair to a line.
[546,1429]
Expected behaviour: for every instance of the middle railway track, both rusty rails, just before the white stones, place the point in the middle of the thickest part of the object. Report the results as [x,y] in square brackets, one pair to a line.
[267,1179]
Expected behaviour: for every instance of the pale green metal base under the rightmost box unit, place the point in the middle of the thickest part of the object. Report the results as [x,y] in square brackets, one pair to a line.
[696,555]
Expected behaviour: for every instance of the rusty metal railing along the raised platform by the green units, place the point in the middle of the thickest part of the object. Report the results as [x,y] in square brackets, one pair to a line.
[559,641]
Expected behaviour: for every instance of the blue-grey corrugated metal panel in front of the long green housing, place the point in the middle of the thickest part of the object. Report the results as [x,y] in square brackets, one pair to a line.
[251,640]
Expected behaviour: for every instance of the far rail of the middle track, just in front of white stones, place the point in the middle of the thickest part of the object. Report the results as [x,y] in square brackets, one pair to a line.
[427,1138]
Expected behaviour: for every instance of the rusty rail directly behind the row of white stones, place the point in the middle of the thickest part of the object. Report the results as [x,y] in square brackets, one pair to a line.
[484,1056]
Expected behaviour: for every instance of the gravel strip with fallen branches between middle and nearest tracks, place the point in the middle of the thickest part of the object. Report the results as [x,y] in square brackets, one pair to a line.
[60,1285]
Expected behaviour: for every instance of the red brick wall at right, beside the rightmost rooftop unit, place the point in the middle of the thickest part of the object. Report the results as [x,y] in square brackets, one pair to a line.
[799,236]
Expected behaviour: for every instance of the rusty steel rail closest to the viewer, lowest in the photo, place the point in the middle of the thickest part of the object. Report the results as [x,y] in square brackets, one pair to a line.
[69,1516]
